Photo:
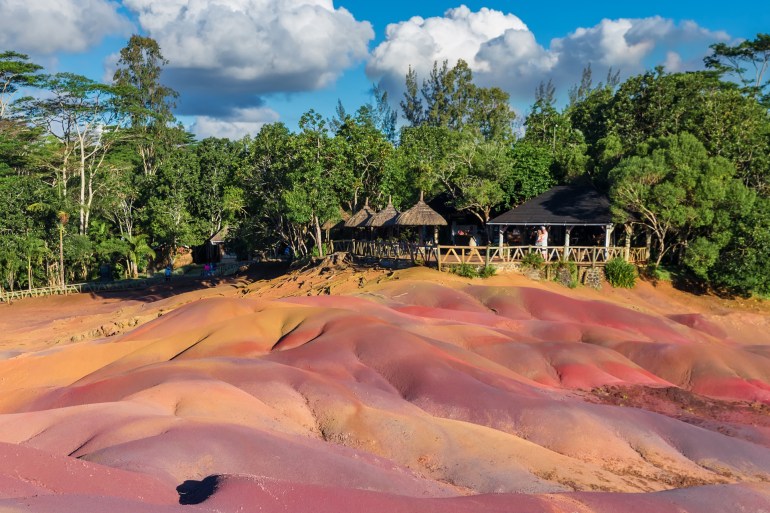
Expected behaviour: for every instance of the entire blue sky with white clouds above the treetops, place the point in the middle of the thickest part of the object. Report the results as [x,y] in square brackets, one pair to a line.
[238,64]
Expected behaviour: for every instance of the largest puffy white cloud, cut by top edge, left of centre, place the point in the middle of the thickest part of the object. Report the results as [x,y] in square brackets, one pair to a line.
[263,45]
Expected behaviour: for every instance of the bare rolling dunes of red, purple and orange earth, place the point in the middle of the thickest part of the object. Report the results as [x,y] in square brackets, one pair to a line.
[344,389]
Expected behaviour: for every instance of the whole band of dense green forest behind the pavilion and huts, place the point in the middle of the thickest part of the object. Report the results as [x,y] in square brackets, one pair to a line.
[95,173]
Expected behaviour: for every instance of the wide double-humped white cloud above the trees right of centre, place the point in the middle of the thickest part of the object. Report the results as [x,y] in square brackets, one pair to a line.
[503,52]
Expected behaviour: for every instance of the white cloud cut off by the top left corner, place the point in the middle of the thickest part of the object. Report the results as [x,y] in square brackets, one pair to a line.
[45,27]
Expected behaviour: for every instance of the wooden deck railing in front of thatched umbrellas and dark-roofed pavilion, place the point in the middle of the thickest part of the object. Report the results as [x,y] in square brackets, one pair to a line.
[506,256]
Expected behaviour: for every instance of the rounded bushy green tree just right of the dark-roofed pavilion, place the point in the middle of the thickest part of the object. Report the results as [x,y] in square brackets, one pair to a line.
[681,194]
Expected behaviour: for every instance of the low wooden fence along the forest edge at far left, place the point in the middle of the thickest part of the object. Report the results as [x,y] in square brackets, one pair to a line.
[93,287]
